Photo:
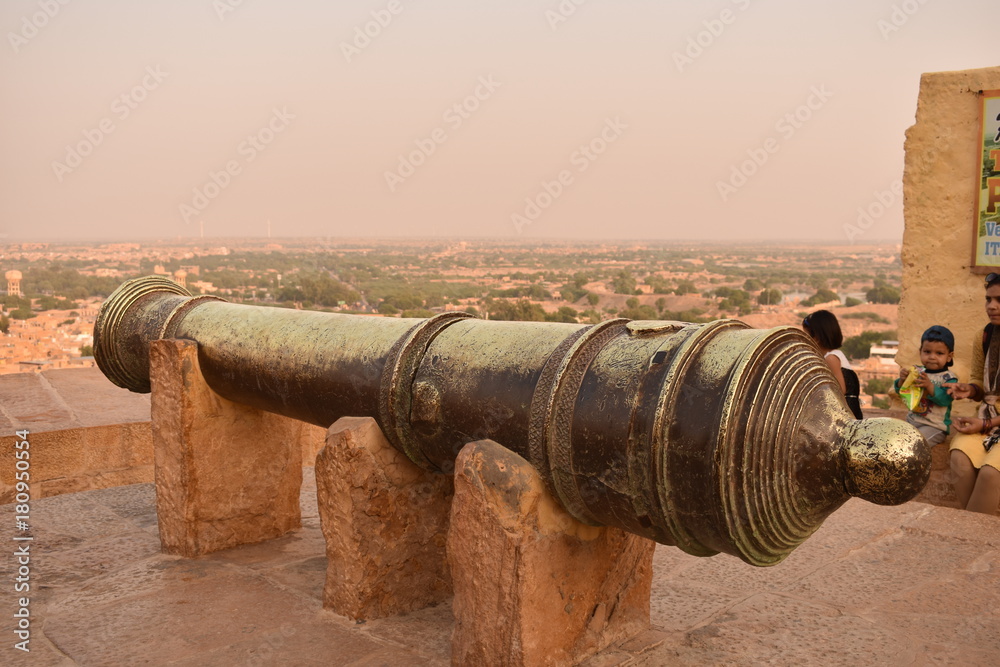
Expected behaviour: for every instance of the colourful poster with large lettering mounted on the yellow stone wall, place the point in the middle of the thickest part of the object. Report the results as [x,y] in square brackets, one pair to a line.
[987,219]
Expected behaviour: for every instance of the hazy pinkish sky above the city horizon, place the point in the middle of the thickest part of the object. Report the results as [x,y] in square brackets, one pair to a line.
[615,119]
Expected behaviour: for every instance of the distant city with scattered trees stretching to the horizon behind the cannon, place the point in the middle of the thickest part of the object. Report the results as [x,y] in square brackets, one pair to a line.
[53,291]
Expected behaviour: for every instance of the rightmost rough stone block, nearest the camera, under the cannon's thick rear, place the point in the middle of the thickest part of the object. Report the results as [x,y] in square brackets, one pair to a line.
[533,586]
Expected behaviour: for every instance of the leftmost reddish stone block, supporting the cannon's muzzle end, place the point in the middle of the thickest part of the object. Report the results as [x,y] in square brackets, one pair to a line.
[226,474]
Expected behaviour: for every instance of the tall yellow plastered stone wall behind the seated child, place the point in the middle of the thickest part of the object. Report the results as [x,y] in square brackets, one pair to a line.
[939,193]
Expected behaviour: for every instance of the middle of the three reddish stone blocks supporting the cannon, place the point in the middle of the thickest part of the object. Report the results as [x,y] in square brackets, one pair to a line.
[385,522]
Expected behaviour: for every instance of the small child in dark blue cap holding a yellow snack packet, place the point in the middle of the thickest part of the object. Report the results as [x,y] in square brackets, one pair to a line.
[932,415]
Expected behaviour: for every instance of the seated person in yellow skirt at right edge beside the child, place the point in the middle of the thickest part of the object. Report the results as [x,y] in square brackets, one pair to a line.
[975,460]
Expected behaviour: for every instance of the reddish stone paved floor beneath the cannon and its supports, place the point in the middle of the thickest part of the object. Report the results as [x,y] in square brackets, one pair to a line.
[909,585]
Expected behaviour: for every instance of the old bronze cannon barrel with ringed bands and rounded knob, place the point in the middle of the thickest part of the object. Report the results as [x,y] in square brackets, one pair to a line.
[711,437]
